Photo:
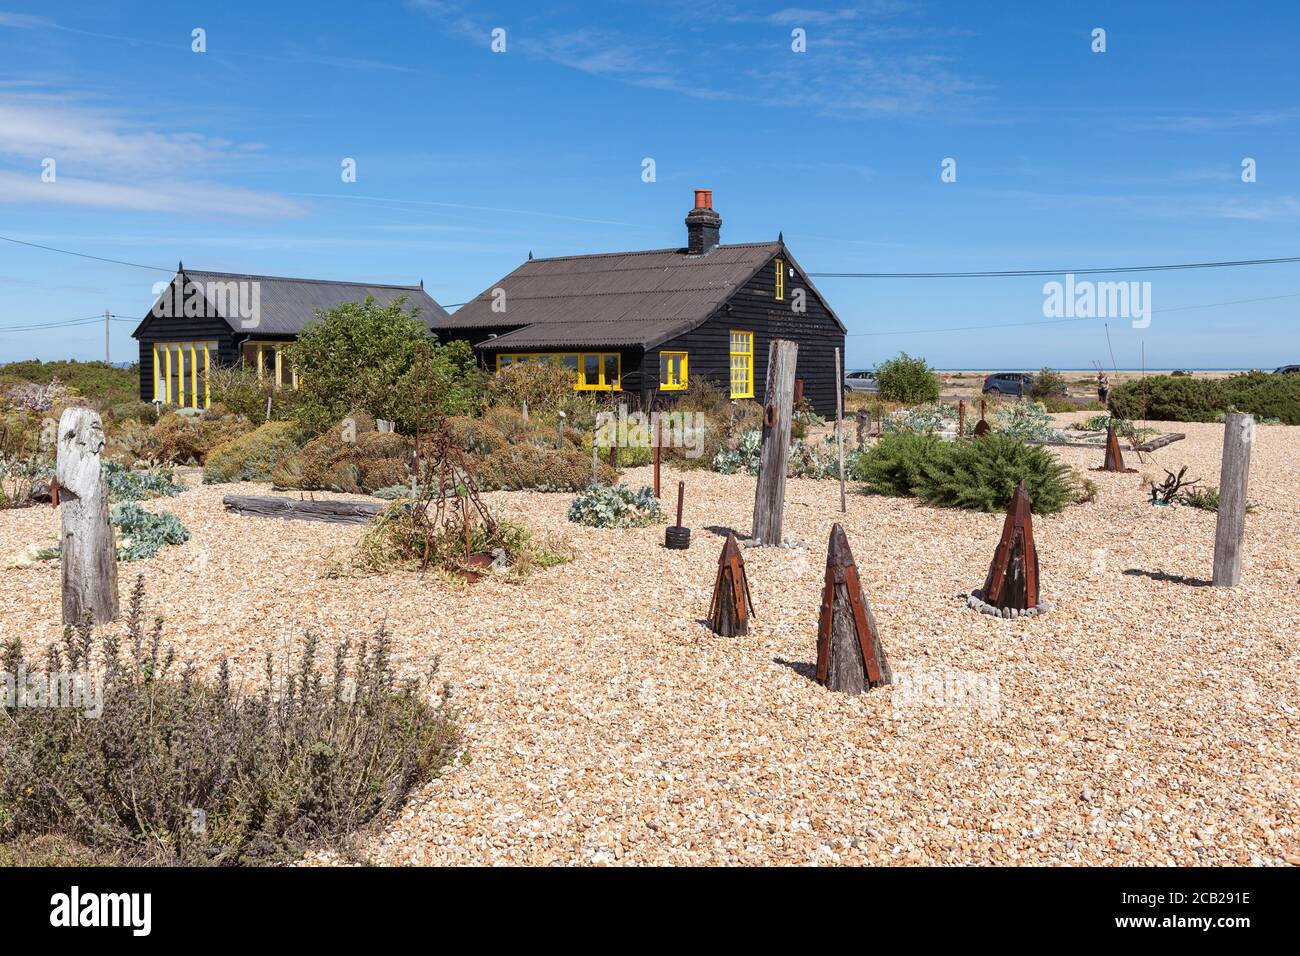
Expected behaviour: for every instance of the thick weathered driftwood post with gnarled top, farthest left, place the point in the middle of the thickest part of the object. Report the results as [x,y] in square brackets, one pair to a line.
[89,552]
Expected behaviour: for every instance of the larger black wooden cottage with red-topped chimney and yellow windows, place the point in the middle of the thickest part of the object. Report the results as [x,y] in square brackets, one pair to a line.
[643,323]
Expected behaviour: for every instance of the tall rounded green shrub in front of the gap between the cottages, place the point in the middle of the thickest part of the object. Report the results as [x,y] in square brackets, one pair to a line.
[363,356]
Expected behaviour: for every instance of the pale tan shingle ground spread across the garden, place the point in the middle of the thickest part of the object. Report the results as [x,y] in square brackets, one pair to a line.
[1147,720]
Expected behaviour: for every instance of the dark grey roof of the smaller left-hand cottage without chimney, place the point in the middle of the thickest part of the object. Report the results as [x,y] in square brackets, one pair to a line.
[288,305]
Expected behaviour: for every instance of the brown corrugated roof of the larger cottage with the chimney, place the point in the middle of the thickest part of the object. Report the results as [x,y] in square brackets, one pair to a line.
[612,300]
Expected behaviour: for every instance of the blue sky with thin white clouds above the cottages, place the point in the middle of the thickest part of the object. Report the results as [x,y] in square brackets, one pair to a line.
[467,159]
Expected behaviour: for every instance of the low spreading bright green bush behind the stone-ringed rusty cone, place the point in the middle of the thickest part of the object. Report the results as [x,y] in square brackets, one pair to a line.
[980,475]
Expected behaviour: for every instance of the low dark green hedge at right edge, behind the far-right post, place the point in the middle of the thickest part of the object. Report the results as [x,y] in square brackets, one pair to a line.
[1178,399]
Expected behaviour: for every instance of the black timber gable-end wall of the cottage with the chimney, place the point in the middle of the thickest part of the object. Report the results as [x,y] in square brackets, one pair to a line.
[756,309]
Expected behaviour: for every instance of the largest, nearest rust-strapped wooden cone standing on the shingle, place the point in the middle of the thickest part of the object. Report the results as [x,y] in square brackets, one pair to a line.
[850,657]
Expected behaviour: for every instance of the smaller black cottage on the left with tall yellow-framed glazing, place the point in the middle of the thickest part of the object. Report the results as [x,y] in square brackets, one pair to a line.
[207,319]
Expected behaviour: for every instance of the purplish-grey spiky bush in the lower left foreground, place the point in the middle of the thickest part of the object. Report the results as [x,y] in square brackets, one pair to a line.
[184,769]
